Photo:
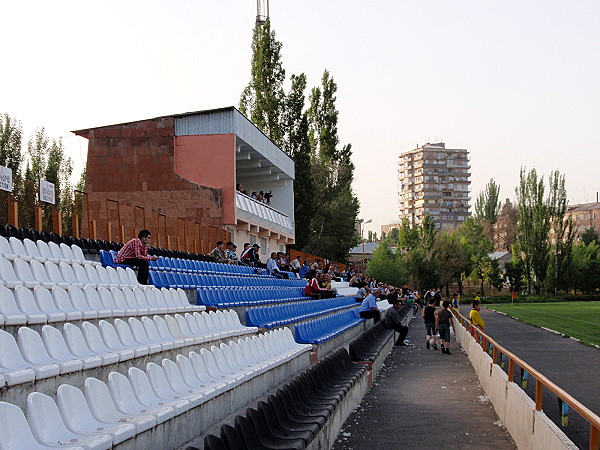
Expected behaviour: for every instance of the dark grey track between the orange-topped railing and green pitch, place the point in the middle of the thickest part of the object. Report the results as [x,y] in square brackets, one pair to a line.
[569,364]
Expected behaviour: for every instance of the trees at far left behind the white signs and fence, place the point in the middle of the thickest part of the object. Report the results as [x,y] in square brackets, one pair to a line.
[40,158]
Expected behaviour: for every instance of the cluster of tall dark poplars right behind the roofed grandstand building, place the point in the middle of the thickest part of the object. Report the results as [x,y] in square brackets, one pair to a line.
[325,206]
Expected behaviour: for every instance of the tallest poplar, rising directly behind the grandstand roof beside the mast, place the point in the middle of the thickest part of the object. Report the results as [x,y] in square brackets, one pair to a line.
[263,100]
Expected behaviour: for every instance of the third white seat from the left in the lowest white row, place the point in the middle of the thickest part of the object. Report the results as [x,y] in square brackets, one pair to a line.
[78,418]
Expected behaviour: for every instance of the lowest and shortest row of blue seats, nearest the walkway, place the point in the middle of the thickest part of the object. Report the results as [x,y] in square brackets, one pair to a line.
[325,328]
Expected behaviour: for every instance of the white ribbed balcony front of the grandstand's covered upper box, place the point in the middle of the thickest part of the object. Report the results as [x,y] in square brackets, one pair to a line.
[263,216]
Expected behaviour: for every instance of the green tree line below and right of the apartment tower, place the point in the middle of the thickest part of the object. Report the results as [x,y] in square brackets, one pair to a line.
[548,255]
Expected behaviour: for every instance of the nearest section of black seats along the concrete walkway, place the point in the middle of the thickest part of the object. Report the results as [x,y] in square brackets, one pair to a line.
[294,415]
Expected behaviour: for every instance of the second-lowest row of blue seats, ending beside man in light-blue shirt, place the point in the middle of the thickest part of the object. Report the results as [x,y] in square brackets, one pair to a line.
[273,316]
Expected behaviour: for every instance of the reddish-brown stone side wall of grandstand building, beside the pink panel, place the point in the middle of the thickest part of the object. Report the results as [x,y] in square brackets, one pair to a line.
[134,164]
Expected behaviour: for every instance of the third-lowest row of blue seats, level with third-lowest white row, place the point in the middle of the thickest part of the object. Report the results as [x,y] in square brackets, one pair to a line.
[244,296]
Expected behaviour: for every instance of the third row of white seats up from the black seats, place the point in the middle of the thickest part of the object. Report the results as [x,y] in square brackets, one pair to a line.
[41,305]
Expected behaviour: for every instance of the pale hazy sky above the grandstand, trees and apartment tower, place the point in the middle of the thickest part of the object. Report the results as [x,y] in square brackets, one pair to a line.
[516,83]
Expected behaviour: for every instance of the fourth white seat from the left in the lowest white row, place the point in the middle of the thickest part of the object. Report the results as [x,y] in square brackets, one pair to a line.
[103,407]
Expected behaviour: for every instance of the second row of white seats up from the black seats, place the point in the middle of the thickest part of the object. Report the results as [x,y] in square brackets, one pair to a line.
[33,356]
